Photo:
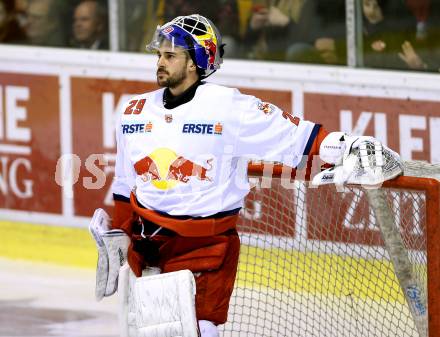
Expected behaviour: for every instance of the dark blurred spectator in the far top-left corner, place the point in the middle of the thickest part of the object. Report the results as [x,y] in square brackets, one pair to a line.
[10,30]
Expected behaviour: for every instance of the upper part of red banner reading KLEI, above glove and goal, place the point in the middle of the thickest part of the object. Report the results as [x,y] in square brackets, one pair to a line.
[409,127]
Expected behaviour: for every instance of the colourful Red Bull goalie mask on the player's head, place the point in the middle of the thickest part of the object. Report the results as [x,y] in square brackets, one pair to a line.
[198,36]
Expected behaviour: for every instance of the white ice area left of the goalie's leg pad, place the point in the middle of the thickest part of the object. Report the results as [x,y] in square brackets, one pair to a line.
[44,300]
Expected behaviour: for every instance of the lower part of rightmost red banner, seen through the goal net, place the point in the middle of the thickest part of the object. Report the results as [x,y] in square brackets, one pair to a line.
[345,216]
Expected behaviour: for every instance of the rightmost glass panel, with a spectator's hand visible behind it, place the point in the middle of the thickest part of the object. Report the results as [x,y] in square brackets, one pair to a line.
[401,34]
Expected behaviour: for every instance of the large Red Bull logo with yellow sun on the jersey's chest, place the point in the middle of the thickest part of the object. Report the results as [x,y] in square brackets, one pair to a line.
[164,169]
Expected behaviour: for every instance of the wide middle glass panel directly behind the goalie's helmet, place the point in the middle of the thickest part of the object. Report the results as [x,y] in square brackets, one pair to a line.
[308,31]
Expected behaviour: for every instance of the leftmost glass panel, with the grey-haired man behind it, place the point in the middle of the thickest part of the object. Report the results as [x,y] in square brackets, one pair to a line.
[55,23]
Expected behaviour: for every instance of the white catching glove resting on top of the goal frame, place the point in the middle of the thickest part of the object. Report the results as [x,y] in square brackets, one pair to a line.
[357,159]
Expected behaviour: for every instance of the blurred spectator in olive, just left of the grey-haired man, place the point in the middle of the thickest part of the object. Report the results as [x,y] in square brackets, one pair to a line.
[44,23]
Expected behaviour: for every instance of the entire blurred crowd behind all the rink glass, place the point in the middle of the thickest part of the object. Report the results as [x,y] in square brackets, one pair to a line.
[396,34]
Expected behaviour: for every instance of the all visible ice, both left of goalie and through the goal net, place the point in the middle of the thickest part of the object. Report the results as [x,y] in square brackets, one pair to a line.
[47,300]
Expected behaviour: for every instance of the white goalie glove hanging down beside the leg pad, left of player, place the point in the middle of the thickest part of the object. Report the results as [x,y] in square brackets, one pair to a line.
[112,247]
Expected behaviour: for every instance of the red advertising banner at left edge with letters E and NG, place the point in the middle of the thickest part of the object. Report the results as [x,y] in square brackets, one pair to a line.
[29,142]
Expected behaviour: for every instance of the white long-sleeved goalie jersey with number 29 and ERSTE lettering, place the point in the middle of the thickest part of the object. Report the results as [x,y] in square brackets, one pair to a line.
[192,160]
